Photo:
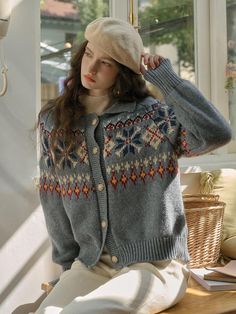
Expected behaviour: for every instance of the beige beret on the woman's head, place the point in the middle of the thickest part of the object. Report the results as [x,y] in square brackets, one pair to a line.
[118,39]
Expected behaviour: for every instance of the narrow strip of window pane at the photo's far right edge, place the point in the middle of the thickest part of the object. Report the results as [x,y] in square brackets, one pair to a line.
[231,65]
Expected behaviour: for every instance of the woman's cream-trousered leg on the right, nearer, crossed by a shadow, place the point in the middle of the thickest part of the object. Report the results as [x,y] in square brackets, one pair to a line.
[139,289]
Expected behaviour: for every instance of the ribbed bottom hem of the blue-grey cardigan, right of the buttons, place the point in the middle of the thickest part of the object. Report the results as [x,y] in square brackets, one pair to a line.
[153,250]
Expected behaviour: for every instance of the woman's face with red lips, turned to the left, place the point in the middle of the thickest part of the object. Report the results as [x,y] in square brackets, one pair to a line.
[98,71]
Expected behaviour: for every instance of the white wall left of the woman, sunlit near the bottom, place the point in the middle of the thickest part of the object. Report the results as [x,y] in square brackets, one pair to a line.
[24,248]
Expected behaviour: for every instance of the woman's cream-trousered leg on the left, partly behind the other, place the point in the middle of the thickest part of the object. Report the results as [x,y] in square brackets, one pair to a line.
[78,281]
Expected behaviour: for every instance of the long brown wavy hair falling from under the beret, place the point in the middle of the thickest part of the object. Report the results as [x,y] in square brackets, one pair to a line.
[67,109]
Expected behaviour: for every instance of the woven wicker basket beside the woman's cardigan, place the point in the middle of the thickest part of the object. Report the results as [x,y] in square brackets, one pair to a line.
[204,216]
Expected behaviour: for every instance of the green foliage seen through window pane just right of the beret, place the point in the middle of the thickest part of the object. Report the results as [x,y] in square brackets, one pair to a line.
[169,22]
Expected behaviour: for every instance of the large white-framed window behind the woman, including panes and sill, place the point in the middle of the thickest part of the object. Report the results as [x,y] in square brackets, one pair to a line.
[200,45]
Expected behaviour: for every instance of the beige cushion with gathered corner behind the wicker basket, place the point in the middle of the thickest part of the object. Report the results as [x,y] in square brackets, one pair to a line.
[223,183]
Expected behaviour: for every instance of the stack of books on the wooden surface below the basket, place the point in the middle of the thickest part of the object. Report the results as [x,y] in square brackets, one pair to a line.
[216,278]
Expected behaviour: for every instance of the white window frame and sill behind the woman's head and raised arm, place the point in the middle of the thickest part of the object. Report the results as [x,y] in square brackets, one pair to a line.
[210,61]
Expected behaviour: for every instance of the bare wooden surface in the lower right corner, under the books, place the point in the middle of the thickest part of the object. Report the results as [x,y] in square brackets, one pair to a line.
[200,301]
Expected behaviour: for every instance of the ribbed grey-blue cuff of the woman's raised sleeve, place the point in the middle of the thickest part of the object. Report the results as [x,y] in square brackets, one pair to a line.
[163,77]
